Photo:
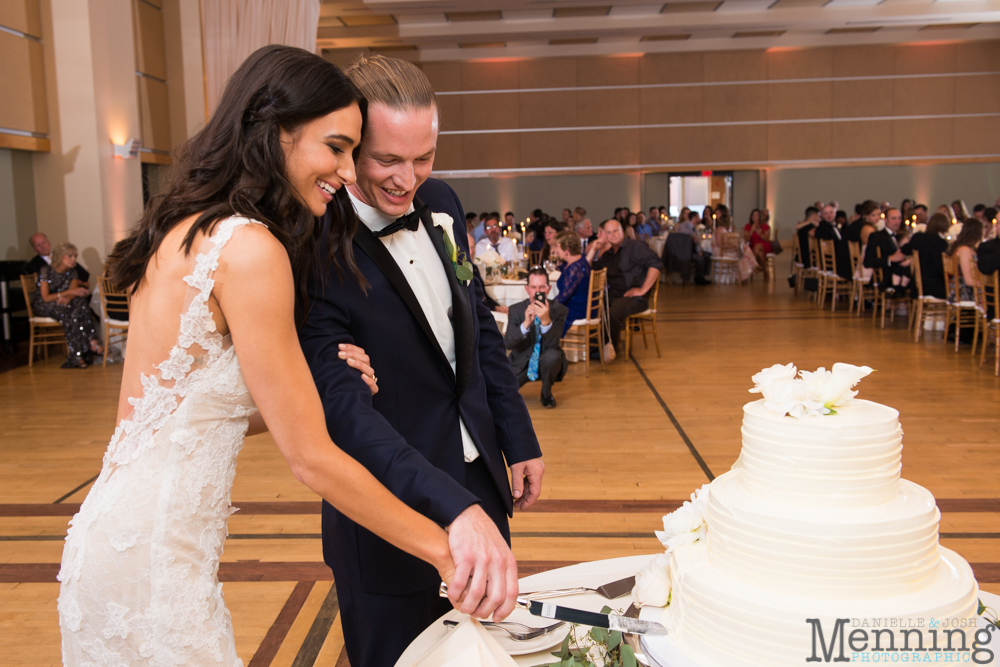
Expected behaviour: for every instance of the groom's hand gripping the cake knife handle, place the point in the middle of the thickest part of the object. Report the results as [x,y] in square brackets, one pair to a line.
[485,580]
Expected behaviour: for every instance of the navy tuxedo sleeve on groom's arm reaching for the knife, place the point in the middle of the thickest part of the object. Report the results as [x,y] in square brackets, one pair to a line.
[360,430]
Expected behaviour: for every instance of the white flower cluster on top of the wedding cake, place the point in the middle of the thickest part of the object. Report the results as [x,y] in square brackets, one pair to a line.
[810,394]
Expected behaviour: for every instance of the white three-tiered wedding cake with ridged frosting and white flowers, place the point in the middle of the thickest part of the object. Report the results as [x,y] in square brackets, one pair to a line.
[813,522]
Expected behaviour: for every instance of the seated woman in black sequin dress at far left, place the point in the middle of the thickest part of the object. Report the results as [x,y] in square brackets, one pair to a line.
[66,299]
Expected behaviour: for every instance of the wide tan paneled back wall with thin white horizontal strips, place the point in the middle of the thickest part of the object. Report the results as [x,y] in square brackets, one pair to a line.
[875,104]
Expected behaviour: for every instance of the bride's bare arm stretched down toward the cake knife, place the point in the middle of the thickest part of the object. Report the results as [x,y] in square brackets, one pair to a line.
[255,290]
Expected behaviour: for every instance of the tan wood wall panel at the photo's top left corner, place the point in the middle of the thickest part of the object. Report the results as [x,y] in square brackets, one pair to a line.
[22,77]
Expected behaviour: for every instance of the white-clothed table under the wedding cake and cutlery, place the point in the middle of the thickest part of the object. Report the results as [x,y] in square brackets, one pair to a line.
[591,574]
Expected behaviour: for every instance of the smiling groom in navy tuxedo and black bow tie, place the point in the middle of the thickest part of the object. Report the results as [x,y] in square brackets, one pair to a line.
[448,419]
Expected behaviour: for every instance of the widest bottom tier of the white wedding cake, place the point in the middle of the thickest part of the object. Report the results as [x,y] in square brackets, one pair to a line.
[718,621]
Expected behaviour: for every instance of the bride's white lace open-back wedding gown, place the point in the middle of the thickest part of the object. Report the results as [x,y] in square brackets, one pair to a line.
[139,569]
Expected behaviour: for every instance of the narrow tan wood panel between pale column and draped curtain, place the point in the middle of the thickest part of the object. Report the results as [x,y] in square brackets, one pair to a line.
[151,80]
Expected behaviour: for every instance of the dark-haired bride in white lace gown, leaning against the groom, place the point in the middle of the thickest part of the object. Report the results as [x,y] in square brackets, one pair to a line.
[217,266]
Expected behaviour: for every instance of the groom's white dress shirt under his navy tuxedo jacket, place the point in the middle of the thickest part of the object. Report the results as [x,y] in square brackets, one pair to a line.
[421,265]
